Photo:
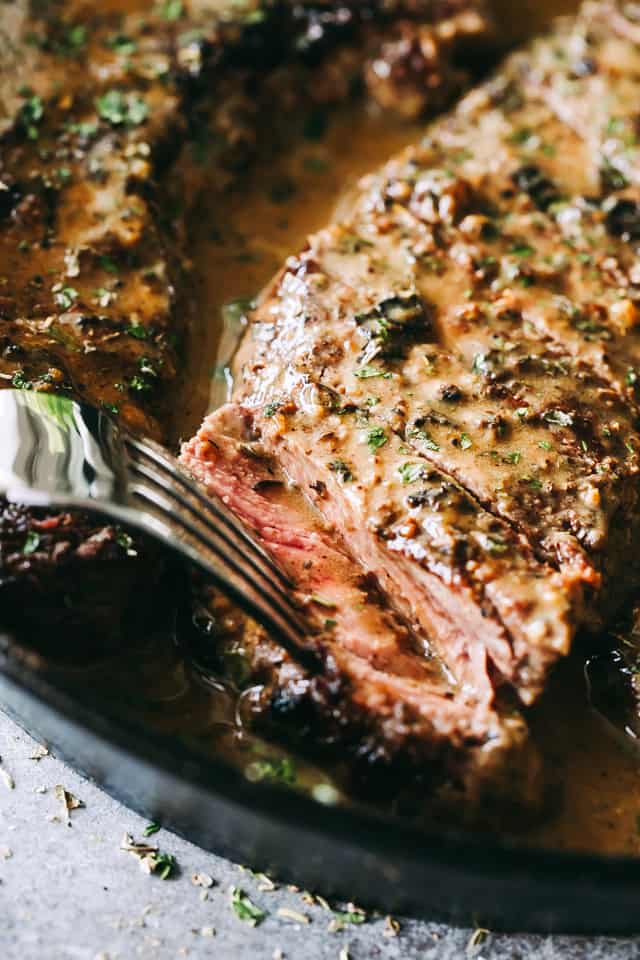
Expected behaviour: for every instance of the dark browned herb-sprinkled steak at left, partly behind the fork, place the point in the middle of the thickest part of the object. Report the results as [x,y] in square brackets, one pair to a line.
[100,112]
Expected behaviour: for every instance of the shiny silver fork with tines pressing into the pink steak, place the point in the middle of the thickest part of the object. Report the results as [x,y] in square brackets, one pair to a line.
[57,452]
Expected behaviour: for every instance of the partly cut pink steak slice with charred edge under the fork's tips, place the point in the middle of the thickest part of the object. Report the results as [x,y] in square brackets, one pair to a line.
[383,693]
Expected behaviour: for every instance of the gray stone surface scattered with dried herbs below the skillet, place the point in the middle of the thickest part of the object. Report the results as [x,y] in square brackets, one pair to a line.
[68,892]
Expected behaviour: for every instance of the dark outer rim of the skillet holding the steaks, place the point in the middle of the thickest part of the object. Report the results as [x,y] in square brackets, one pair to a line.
[451,875]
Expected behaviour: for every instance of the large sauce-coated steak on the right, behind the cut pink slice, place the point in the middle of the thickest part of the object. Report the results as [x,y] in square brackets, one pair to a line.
[447,372]
